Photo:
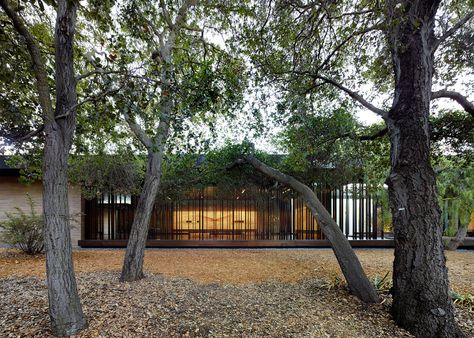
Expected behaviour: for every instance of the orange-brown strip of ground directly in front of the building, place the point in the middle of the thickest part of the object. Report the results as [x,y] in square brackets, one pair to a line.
[237,266]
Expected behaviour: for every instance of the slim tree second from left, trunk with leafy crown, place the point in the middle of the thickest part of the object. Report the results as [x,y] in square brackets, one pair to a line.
[190,76]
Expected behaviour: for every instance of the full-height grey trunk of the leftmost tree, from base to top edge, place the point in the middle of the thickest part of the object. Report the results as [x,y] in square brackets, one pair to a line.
[65,308]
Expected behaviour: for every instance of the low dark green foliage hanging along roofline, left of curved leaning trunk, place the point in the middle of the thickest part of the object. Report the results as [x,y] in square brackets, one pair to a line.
[181,172]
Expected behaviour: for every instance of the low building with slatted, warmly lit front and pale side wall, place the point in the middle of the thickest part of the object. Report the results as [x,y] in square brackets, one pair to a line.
[250,216]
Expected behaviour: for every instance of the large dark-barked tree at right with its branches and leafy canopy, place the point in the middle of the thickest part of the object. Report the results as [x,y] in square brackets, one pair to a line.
[313,47]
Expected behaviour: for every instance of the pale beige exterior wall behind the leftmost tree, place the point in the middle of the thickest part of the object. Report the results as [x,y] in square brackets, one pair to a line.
[13,194]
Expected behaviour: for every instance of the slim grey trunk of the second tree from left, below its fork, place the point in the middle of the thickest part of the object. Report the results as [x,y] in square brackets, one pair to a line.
[133,262]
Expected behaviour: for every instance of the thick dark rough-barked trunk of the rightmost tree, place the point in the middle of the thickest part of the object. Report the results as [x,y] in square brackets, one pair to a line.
[421,302]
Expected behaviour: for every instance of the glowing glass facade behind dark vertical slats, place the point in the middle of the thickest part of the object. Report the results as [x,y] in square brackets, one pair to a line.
[245,214]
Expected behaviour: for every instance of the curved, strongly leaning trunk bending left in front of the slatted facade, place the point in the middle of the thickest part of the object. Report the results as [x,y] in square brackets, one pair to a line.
[357,280]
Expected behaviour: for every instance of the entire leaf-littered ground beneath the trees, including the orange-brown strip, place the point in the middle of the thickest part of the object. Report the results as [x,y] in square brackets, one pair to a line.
[216,293]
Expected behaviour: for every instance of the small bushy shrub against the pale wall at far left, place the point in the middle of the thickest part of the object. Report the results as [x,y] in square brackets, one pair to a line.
[24,230]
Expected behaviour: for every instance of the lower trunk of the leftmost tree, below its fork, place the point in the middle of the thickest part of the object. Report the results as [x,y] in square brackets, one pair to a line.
[64,304]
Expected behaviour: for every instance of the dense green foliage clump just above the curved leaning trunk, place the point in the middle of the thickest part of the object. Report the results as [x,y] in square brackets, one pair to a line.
[320,148]
